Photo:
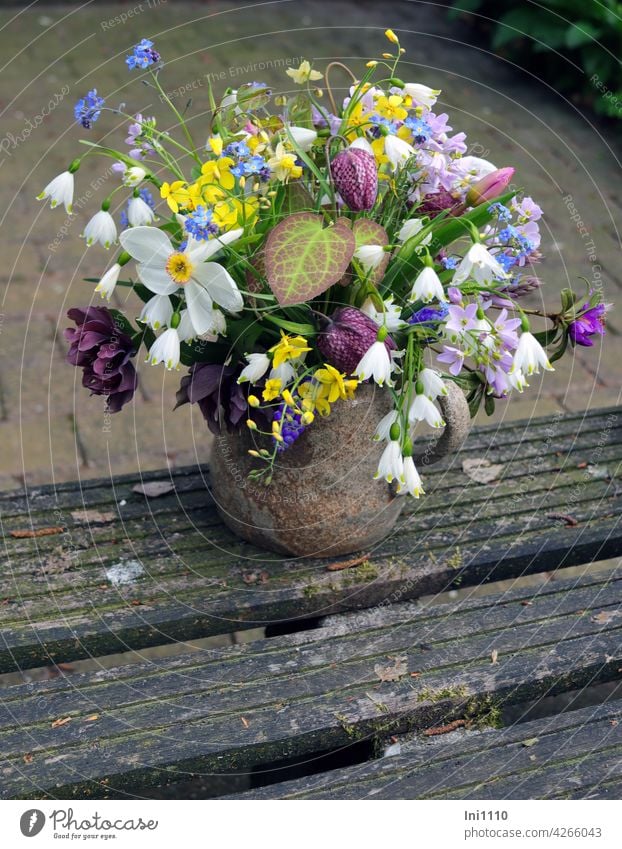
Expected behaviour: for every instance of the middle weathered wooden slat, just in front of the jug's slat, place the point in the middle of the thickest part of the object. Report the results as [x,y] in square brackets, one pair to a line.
[301,694]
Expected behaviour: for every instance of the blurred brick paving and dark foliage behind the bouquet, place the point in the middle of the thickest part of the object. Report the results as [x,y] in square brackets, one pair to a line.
[535,92]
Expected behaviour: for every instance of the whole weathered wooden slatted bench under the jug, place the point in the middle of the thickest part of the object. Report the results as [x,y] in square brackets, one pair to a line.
[360,687]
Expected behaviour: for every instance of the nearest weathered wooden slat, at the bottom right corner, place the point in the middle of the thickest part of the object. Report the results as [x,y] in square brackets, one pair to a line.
[577,754]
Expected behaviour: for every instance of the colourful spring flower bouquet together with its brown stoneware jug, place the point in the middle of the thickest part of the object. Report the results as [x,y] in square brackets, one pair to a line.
[313,262]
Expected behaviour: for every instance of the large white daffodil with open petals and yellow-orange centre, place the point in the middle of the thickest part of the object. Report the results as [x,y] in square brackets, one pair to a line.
[166,271]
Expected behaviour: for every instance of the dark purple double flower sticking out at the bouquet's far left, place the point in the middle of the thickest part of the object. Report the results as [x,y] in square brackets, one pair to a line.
[104,352]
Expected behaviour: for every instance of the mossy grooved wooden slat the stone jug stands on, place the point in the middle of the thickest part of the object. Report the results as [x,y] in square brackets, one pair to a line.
[58,601]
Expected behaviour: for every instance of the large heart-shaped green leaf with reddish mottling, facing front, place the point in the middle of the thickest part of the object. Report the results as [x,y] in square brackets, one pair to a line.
[304,258]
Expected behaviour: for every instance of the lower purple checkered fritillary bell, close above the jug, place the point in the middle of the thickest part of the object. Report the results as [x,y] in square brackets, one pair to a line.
[348,335]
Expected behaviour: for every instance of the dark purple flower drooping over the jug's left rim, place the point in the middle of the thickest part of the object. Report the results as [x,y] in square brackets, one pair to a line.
[215,389]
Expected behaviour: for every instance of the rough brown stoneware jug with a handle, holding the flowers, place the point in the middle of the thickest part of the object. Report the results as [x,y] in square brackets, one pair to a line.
[323,499]
